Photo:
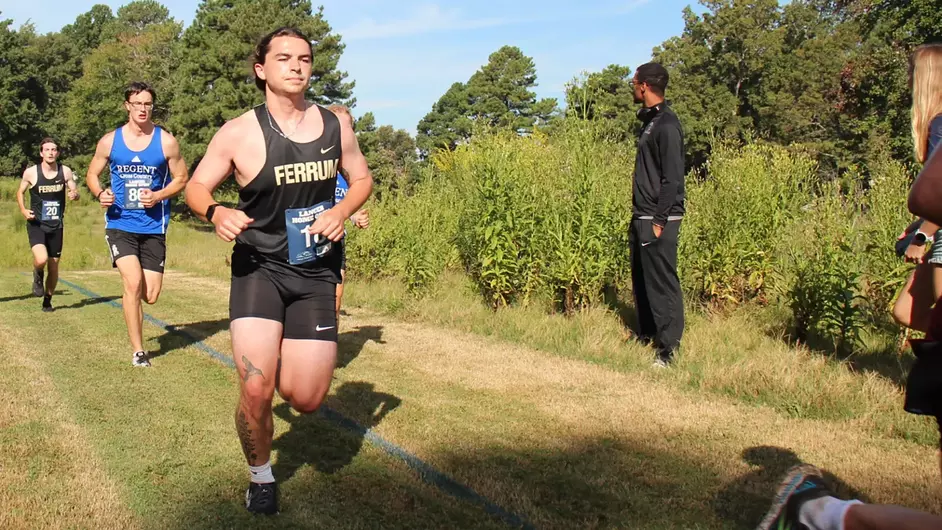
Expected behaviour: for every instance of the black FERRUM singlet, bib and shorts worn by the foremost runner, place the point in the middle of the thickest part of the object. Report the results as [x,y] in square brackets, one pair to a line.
[274,261]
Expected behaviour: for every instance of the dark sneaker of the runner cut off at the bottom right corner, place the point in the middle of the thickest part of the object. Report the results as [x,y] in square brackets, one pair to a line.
[802,483]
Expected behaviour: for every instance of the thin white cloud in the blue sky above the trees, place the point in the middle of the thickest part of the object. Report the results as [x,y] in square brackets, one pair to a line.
[428,18]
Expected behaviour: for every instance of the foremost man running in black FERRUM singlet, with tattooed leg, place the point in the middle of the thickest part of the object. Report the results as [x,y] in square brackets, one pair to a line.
[285,155]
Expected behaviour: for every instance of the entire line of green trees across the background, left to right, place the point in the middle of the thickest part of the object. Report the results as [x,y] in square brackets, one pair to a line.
[830,76]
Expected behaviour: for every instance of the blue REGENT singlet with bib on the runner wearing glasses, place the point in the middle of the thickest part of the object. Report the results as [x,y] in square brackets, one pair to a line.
[131,172]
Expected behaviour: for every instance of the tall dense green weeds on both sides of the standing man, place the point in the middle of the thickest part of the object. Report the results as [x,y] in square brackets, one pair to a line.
[546,217]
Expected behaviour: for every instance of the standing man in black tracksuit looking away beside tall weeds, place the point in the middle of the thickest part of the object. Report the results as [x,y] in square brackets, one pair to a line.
[658,201]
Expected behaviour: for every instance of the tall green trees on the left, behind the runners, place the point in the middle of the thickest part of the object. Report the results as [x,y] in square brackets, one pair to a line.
[68,83]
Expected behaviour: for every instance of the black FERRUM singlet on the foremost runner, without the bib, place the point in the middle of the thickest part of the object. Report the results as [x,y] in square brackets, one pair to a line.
[295,175]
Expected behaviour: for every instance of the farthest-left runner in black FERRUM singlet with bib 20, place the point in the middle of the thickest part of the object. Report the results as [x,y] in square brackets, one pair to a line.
[47,183]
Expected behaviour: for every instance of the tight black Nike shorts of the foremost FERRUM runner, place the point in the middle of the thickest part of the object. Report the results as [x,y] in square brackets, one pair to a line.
[264,288]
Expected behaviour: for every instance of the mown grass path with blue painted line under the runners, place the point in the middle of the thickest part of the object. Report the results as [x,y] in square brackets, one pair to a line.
[564,442]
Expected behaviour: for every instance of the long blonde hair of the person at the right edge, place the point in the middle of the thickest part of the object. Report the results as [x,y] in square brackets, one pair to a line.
[927,94]
